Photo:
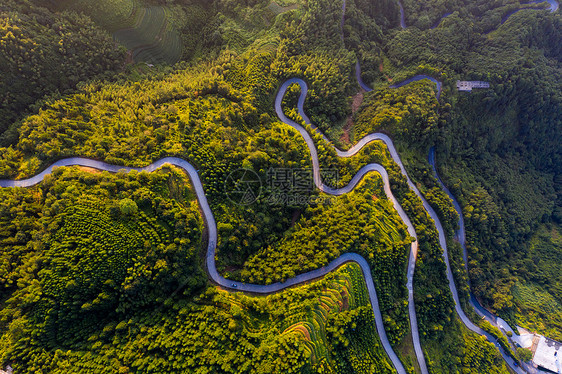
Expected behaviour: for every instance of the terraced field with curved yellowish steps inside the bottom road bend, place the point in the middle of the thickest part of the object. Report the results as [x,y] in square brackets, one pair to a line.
[341,304]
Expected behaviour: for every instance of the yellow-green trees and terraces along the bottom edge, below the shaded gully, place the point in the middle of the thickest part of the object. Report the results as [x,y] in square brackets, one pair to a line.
[293,331]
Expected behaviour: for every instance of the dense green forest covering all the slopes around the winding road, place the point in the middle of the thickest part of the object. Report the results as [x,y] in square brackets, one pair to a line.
[104,272]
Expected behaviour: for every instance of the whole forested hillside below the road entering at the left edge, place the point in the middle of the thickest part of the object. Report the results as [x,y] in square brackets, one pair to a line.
[102,268]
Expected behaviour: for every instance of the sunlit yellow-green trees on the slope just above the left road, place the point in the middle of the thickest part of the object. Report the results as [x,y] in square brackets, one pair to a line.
[138,118]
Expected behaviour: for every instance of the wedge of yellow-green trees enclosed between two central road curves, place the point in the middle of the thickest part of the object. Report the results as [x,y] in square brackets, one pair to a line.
[328,230]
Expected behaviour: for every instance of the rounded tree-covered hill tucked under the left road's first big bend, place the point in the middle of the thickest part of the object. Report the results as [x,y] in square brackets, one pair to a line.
[83,261]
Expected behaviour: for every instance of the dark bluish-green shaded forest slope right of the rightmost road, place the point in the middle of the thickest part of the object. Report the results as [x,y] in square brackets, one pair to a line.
[506,171]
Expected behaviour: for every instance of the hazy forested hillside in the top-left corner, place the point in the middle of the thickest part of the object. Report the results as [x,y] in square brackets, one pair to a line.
[43,53]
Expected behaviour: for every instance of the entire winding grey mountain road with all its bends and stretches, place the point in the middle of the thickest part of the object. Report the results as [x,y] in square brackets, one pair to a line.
[348,257]
